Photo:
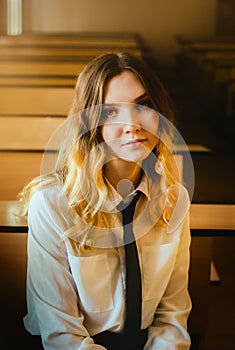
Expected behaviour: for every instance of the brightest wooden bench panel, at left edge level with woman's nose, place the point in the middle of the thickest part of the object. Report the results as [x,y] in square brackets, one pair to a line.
[34,134]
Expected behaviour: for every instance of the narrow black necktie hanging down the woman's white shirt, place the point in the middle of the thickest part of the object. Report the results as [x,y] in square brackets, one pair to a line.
[133,276]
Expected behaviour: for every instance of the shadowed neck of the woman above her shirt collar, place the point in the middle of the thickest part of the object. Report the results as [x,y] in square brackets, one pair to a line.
[124,176]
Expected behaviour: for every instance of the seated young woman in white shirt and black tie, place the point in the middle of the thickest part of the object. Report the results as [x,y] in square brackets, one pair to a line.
[116,147]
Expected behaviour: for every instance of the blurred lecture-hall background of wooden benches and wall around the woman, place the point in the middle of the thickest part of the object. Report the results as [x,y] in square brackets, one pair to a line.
[190,44]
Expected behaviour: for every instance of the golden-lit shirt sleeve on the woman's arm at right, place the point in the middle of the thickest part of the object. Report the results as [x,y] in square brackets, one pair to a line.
[169,328]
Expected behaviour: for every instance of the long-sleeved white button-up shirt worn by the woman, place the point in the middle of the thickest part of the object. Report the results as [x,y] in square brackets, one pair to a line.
[71,297]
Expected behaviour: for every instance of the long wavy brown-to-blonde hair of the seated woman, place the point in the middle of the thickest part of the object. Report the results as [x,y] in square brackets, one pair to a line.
[81,157]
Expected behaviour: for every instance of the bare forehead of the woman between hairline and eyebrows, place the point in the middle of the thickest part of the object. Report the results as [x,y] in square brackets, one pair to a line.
[124,87]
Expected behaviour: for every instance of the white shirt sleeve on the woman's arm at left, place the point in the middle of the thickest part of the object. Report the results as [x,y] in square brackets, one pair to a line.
[52,299]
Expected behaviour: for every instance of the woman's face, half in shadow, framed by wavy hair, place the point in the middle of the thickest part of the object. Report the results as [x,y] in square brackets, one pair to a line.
[129,129]
